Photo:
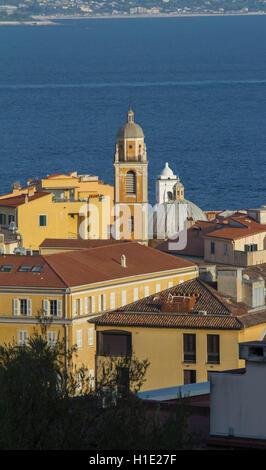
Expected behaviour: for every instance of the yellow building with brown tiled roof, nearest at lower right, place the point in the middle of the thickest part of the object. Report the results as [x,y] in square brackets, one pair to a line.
[185,332]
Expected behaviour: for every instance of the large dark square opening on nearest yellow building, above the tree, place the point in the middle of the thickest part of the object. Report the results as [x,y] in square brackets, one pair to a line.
[113,343]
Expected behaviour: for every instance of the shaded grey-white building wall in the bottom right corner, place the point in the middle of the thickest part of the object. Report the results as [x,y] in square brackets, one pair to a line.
[237,400]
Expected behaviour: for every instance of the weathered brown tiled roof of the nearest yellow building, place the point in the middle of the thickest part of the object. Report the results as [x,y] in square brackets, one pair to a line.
[219,312]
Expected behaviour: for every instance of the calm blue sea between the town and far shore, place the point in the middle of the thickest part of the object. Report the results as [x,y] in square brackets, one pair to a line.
[197,86]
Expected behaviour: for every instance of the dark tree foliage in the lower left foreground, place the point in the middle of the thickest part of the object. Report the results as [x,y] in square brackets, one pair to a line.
[46,404]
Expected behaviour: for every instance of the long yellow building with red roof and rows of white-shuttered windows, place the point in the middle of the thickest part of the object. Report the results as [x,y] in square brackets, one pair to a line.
[70,287]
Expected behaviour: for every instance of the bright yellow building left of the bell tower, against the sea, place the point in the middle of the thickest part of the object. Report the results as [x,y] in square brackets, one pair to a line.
[59,206]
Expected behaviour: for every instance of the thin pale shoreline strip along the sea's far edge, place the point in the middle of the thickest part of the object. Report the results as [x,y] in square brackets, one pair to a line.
[51,20]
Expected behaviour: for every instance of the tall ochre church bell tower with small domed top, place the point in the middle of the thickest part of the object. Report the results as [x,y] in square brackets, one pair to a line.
[131,182]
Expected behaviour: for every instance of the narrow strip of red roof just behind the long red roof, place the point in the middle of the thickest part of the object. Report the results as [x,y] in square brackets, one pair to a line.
[77,243]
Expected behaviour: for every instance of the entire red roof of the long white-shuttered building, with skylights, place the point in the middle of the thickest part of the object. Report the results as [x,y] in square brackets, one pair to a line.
[83,267]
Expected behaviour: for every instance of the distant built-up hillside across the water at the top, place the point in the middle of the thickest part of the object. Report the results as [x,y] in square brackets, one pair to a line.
[26,9]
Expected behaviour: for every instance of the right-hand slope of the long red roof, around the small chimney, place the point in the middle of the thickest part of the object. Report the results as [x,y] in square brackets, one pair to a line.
[104,263]
